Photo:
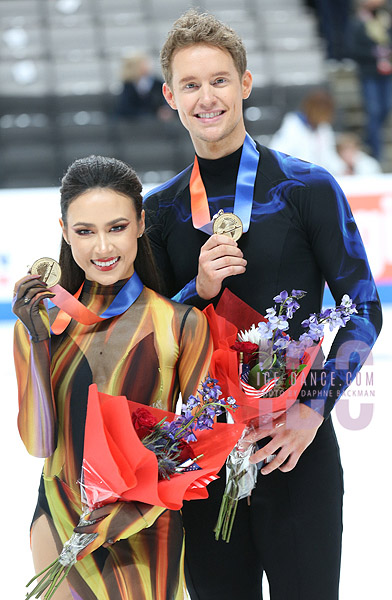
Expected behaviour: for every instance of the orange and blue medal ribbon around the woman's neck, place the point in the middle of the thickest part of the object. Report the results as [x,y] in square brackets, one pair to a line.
[71,308]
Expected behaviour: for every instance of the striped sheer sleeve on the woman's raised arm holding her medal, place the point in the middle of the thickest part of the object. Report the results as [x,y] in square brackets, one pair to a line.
[37,420]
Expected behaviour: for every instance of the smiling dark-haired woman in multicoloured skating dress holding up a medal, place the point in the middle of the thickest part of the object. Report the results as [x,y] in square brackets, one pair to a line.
[149,351]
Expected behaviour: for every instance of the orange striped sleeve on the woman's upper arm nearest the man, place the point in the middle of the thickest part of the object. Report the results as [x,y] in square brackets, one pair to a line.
[195,352]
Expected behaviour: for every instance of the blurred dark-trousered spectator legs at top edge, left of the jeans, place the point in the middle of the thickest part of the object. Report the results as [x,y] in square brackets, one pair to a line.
[333,17]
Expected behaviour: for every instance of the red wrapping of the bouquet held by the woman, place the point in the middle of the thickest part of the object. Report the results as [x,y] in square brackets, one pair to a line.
[117,466]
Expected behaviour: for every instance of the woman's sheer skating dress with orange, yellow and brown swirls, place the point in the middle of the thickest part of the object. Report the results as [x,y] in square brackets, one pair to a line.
[153,350]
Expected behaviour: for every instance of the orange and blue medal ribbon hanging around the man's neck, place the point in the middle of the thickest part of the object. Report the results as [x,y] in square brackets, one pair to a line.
[243,198]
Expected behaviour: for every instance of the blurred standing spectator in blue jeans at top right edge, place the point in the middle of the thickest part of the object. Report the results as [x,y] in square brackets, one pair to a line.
[370,42]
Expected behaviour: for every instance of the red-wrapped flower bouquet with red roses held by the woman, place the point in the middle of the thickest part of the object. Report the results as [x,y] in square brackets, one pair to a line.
[138,453]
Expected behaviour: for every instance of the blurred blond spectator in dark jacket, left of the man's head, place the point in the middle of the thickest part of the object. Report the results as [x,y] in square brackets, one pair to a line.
[141,93]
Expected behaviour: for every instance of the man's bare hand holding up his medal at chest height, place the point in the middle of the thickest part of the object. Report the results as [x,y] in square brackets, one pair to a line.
[220,257]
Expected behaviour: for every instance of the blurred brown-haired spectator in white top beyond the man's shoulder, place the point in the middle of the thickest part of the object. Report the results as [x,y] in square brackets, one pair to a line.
[308,133]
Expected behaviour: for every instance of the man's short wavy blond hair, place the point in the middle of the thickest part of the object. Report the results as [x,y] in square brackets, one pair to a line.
[201,28]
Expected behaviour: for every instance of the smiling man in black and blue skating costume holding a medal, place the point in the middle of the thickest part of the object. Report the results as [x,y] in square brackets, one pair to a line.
[298,232]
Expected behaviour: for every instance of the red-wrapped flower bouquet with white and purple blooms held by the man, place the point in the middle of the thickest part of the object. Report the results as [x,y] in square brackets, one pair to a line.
[265,369]
